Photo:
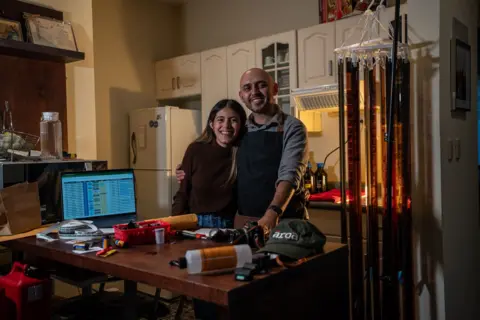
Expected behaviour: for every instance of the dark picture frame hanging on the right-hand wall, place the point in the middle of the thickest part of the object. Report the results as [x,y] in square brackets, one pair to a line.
[461,75]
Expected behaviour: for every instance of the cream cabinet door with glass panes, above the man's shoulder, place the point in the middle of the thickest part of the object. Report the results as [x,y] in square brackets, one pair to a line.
[277,55]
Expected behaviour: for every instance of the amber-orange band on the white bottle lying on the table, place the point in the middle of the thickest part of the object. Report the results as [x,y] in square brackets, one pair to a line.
[218,258]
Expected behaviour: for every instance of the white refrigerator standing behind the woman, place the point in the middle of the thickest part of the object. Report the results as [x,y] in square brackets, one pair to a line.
[158,140]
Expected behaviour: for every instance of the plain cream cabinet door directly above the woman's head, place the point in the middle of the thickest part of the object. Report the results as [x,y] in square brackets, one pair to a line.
[214,79]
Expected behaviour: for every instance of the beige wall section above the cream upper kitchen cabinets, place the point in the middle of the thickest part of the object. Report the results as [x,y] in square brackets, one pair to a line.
[214,23]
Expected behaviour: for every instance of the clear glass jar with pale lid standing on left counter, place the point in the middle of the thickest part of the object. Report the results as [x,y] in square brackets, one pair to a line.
[51,141]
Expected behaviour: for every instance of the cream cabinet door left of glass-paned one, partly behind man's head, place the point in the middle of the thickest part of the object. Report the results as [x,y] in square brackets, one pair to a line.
[240,58]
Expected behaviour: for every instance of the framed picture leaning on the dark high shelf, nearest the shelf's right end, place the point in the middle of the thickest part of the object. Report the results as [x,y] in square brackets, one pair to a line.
[50,32]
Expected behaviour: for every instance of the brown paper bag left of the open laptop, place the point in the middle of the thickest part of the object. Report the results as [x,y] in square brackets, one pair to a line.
[19,209]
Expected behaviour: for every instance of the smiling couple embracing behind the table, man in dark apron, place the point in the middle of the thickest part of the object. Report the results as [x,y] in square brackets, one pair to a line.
[251,166]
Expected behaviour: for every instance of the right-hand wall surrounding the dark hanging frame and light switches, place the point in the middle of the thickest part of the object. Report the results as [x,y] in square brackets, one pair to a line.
[461,220]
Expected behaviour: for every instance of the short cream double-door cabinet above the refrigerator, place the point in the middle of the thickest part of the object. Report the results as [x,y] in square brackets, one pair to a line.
[178,77]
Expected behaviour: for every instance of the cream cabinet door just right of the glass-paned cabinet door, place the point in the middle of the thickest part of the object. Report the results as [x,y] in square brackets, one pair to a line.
[315,55]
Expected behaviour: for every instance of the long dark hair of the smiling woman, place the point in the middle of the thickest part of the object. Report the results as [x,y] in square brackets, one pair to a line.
[208,136]
